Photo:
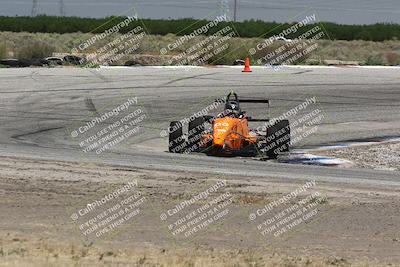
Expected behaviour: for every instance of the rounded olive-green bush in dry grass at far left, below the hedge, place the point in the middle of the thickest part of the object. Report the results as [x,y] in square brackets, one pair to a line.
[35,50]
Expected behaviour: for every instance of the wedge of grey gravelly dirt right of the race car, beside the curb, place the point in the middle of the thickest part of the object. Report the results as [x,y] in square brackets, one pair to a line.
[385,156]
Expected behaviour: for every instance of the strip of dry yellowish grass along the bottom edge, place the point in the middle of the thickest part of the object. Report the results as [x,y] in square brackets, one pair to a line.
[21,252]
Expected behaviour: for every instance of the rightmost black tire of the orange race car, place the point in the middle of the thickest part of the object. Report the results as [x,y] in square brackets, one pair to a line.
[278,138]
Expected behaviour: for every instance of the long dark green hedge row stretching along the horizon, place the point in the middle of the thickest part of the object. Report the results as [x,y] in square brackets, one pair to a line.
[251,28]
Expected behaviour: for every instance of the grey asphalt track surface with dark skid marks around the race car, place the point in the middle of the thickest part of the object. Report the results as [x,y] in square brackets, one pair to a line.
[41,107]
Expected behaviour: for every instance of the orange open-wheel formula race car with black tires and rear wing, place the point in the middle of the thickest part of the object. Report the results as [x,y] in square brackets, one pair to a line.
[228,133]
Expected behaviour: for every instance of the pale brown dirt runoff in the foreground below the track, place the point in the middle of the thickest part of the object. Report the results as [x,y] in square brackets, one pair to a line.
[70,214]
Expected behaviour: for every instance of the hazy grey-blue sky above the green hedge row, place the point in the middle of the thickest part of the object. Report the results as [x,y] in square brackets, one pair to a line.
[341,11]
